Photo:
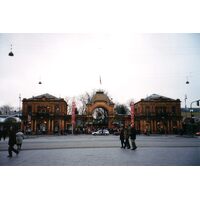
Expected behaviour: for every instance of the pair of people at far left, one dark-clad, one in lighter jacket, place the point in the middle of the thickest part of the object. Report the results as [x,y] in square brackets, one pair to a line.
[14,139]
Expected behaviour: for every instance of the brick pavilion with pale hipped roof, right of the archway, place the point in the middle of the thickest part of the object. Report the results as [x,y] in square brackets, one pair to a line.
[158,114]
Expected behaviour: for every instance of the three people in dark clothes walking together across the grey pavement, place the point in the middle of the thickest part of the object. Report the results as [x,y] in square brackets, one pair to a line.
[128,137]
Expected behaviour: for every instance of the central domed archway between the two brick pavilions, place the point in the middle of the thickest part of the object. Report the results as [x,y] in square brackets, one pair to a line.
[100,111]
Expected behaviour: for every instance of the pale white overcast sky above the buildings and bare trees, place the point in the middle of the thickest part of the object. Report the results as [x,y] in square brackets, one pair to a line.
[131,66]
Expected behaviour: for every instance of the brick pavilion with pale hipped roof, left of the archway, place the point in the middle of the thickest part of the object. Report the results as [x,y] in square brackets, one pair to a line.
[44,114]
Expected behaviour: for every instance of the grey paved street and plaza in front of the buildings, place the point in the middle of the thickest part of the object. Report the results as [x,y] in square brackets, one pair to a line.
[88,150]
